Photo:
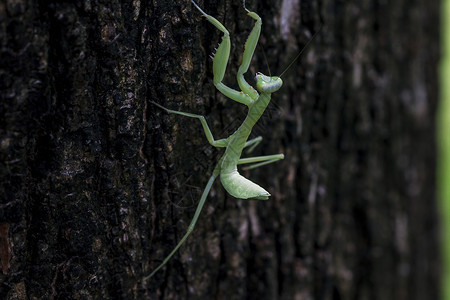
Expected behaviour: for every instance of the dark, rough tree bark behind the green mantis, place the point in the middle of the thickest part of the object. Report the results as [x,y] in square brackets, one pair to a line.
[98,184]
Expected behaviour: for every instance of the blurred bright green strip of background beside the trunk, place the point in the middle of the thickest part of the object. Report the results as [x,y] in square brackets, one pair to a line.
[444,147]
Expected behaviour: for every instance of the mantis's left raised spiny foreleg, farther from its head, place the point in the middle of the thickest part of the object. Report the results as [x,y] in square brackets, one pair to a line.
[220,62]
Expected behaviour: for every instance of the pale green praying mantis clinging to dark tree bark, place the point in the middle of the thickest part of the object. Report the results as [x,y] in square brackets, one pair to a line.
[256,101]
